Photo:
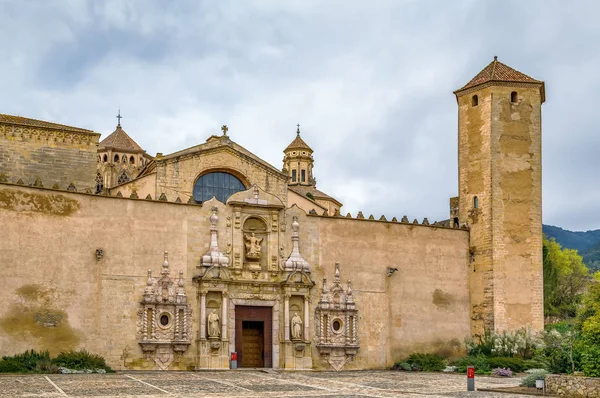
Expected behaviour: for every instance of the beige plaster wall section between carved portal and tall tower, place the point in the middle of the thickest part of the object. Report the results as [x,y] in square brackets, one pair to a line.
[423,307]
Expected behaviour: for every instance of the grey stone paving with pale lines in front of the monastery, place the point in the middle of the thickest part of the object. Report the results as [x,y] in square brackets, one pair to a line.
[251,384]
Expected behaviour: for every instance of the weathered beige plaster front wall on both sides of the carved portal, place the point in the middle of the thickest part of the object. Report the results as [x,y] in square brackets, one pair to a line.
[58,295]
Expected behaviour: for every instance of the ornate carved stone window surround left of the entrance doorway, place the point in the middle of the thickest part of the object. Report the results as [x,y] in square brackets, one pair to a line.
[163,319]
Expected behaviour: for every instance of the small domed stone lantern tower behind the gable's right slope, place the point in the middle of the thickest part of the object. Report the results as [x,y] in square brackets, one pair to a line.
[298,162]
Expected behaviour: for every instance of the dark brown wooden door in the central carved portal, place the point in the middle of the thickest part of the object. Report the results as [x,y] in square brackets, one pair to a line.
[253,337]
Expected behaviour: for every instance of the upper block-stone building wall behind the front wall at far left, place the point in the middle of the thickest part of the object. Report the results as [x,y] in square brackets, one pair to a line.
[53,156]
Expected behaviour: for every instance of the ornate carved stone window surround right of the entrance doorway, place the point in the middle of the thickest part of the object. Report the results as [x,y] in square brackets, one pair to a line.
[336,323]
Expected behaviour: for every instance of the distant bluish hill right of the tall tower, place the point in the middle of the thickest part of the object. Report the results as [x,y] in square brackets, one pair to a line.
[587,243]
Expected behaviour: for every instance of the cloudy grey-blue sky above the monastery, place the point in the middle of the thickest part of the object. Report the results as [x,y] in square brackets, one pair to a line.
[370,83]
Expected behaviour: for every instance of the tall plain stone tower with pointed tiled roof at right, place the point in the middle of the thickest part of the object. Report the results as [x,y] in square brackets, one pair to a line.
[500,196]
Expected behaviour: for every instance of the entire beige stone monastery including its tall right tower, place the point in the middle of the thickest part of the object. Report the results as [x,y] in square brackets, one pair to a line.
[178,261]
